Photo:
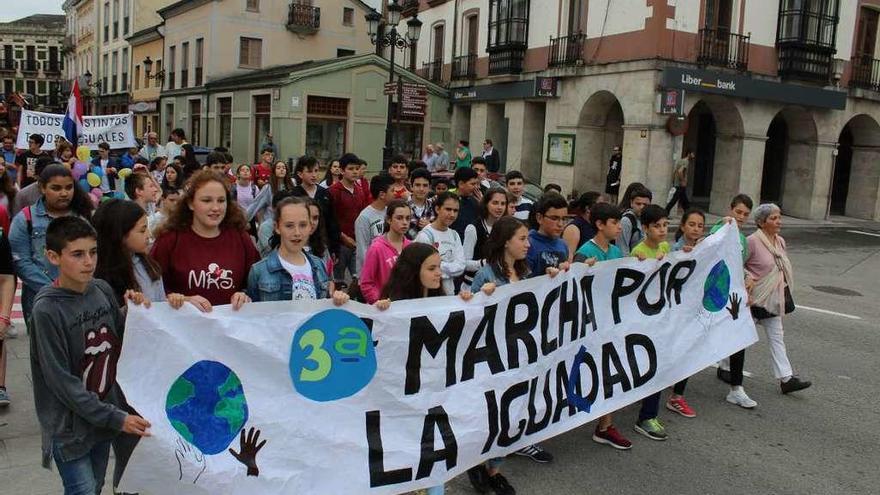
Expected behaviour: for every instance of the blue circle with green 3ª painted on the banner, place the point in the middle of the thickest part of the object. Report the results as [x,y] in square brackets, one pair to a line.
[332,356]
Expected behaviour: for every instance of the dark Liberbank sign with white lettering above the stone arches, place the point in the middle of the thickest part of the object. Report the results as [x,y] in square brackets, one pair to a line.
[704,81]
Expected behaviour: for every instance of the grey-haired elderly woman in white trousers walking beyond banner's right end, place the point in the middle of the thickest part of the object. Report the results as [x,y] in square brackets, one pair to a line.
[770,271]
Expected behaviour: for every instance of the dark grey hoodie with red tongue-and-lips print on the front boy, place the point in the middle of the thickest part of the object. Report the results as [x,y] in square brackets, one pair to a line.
[75,344]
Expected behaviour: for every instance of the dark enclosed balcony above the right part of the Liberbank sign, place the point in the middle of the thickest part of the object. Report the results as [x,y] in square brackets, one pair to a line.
[806,44]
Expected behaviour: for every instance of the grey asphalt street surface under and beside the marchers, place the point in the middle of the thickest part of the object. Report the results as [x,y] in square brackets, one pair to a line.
[821,441]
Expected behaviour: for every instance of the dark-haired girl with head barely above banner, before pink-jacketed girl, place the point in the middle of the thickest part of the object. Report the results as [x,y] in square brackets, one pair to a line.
[416,275]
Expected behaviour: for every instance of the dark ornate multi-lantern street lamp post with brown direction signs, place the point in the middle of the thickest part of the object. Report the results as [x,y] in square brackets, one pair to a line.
[395,41]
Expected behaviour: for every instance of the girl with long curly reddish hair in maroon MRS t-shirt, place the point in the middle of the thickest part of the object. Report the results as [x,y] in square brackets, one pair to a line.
[203,247]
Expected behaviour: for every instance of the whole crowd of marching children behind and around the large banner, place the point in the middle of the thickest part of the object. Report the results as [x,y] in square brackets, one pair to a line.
[231,235]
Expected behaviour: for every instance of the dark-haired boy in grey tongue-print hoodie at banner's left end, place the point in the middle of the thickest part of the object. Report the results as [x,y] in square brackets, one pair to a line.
[75,343]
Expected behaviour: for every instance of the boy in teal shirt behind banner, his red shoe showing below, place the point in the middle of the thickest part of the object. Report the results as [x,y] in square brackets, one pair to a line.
[606,220]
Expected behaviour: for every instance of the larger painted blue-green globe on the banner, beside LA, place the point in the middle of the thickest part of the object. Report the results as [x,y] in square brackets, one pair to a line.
[207,406]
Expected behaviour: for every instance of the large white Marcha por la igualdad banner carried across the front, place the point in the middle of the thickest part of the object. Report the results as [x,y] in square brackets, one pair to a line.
[354,400]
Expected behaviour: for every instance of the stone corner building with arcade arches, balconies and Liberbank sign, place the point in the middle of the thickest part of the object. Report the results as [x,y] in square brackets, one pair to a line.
[778,99]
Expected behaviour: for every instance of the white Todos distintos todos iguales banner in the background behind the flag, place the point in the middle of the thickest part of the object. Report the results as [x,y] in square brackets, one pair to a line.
[115,130]
